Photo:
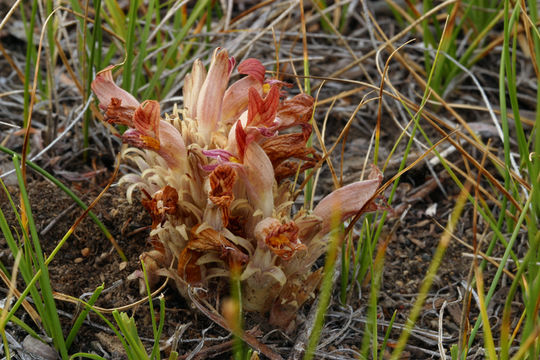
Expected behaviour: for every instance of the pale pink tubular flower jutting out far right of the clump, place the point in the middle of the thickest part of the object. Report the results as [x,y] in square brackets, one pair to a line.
[347,201]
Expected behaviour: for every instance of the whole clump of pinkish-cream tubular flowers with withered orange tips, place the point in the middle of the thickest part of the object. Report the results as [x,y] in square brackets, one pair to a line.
[214,179]
